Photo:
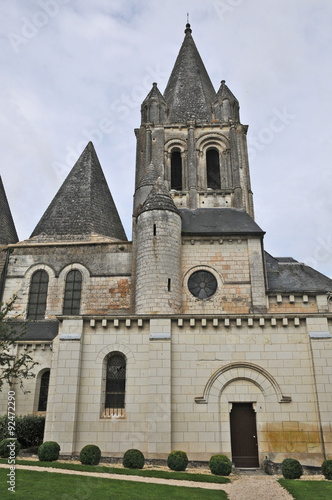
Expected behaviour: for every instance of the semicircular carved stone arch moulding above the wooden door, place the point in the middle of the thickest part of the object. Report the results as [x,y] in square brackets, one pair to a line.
[255,374]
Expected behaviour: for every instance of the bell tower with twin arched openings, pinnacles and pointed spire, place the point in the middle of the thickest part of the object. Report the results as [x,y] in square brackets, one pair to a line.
[193,137]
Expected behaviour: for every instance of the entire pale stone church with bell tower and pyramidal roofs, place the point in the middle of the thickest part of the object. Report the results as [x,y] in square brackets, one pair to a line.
[189,337]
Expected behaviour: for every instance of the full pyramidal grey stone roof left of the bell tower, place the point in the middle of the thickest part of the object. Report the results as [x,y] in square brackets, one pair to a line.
[83,208]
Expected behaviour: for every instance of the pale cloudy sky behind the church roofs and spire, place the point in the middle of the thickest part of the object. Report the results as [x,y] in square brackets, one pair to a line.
[74,71]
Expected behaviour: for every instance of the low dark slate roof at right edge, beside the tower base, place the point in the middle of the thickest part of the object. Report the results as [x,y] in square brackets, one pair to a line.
[285,274]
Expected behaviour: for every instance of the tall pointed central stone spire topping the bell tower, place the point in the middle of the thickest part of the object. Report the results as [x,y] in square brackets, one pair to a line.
[189,93]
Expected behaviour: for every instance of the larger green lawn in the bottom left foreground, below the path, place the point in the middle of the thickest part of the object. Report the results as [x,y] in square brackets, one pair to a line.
[33,485]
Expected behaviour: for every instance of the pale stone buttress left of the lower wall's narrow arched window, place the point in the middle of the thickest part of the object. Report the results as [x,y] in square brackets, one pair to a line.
[61,416]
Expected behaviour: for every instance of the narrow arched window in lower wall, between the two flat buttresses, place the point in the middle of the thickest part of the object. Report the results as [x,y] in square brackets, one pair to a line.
[115,384]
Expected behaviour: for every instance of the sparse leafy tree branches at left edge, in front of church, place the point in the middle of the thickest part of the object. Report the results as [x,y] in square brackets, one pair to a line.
[13,367]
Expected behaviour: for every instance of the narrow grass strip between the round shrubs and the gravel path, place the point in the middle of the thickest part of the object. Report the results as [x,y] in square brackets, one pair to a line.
[206,478]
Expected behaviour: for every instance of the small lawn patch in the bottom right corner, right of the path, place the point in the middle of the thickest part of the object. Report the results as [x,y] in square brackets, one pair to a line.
[308,490]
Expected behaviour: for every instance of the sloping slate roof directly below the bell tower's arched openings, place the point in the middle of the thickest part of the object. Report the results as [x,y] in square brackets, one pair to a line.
[218,221]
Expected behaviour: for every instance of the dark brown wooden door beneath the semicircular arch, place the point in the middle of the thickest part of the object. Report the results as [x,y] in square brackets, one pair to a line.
[244,435]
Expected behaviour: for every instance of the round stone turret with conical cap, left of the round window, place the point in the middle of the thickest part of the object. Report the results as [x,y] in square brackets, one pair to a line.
[158,266]
